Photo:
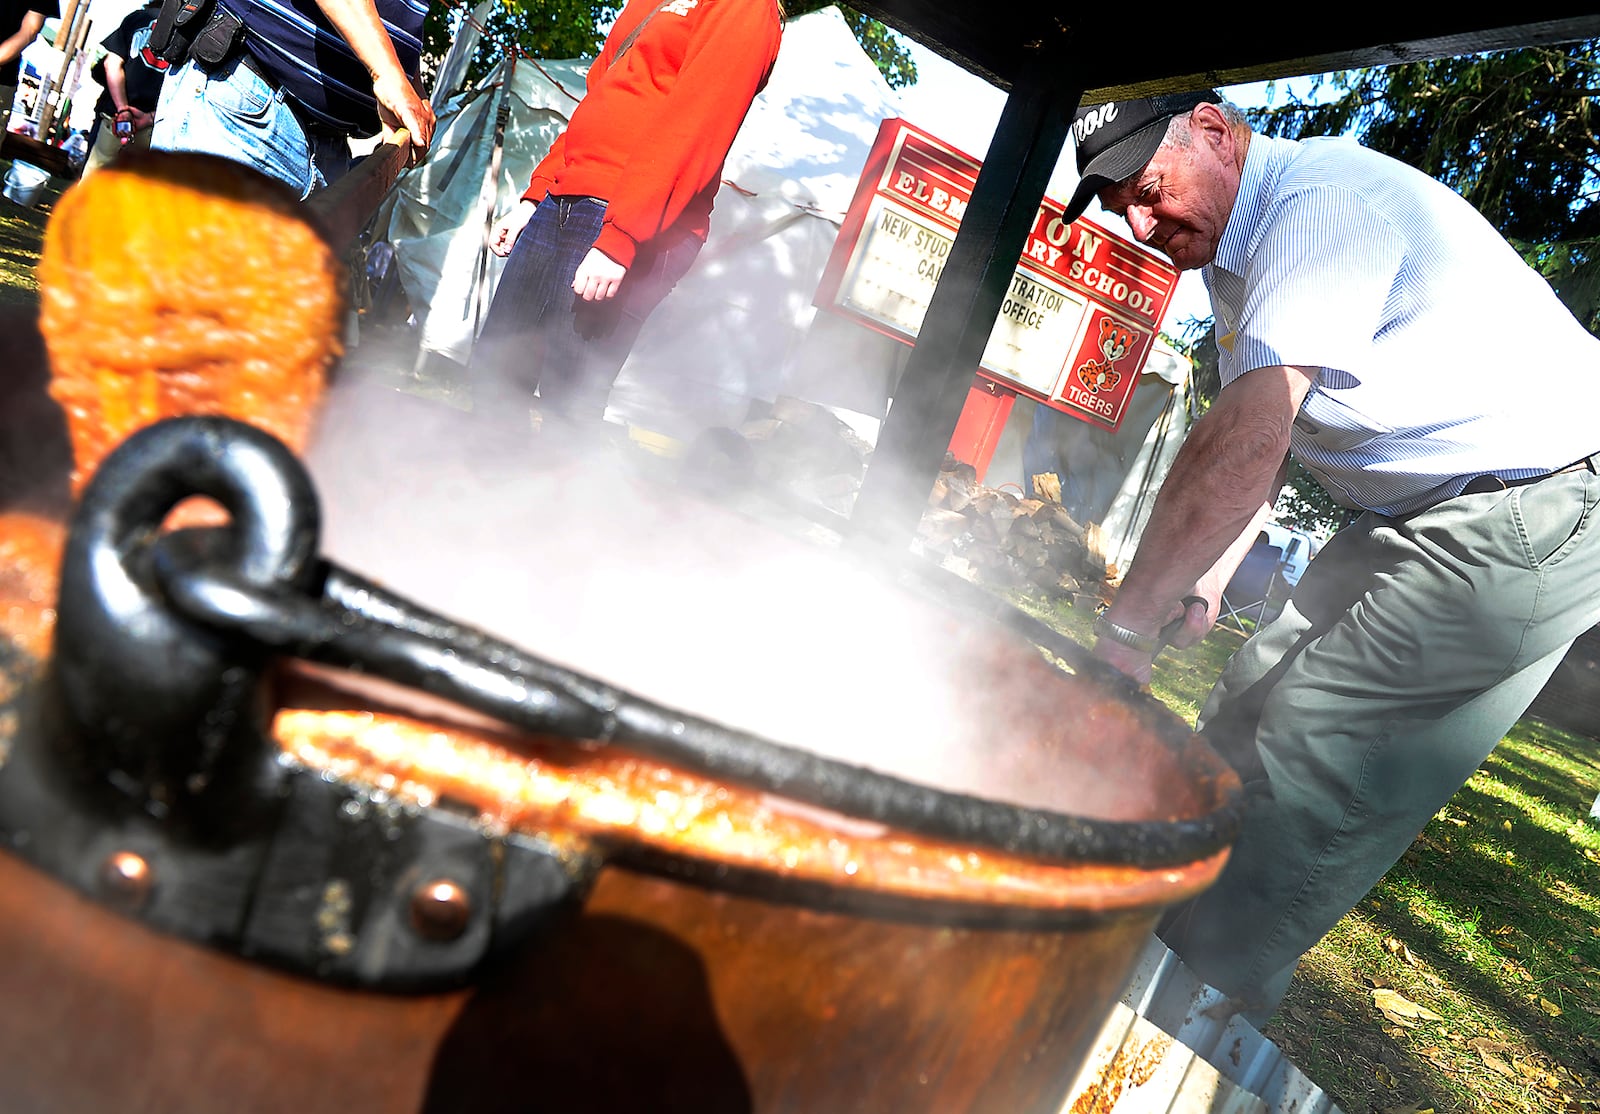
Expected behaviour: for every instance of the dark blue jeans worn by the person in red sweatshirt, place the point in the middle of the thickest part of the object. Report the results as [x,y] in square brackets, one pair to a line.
[540,335]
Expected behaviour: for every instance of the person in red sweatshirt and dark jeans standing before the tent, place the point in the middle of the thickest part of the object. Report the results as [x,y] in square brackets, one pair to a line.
[622,206]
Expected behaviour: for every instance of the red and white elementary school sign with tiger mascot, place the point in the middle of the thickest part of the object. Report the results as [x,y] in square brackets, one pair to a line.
[1082,310]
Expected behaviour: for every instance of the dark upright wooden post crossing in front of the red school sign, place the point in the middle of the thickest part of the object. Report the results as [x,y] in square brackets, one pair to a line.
[967,302]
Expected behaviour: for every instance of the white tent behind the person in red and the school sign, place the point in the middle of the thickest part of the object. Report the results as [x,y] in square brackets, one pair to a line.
[742,327]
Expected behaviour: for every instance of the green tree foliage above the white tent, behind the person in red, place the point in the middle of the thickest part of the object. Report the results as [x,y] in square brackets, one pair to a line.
[577,30]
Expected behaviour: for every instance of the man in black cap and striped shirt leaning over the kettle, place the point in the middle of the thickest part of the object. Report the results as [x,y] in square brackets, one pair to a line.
[1372,324]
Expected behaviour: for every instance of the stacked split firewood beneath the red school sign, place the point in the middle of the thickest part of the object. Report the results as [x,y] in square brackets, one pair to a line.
[1010,542]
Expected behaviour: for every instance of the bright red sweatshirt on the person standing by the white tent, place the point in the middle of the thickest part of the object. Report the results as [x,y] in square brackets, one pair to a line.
[654,129]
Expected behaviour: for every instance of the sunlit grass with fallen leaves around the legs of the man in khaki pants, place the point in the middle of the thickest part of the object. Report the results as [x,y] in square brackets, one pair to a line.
[1470,979]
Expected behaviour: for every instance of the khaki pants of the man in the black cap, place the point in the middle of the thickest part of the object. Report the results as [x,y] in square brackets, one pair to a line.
[1407,652]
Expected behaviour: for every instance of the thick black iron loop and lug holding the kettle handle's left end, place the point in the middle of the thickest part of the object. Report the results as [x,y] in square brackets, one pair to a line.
[164,711]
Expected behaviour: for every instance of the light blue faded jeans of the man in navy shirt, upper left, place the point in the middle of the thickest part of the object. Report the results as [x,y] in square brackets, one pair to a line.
[238,114]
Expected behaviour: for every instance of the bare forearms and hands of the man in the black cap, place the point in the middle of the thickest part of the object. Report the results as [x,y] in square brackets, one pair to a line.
[1215,497]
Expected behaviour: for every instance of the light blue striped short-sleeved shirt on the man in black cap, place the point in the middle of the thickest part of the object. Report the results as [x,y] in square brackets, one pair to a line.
[1442,355]
